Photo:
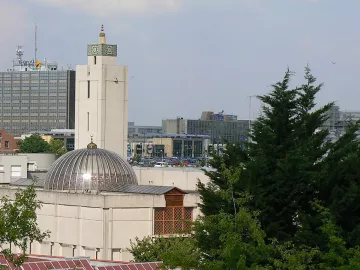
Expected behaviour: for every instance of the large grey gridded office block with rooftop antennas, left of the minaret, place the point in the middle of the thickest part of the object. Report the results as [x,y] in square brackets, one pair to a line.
[36,95]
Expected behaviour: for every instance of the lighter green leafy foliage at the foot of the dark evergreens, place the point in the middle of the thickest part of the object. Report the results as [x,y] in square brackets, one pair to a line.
[242,244]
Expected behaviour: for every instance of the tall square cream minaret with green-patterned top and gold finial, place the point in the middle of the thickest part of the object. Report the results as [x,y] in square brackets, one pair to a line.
[101,102]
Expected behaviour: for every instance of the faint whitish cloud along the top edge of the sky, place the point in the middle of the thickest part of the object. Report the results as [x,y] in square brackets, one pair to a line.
[113,7]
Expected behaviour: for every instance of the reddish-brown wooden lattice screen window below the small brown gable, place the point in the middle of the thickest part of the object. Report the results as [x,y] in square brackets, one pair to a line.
[172,220]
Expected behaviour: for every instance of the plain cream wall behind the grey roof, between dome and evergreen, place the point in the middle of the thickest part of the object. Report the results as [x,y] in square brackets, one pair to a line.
[183,178]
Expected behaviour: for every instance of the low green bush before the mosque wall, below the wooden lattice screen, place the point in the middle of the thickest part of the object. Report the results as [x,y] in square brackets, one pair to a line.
[173,251]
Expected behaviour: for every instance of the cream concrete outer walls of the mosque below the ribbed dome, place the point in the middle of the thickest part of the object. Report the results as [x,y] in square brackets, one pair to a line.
[99,226]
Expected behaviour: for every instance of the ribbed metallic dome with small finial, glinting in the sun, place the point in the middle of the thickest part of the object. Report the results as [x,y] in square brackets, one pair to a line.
[89,169]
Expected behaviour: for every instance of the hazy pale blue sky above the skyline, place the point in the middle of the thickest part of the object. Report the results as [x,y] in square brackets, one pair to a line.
[189,56]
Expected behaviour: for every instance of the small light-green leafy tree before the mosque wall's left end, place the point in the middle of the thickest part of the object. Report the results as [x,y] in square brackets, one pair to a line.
[18,223]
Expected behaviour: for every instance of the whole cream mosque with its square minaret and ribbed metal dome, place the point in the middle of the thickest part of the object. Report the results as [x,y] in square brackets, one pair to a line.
[93,202]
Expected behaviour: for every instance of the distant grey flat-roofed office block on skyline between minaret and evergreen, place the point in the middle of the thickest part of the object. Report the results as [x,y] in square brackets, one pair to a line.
[220,128]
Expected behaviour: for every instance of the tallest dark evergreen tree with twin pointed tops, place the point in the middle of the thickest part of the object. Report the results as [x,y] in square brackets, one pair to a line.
[286,148]
